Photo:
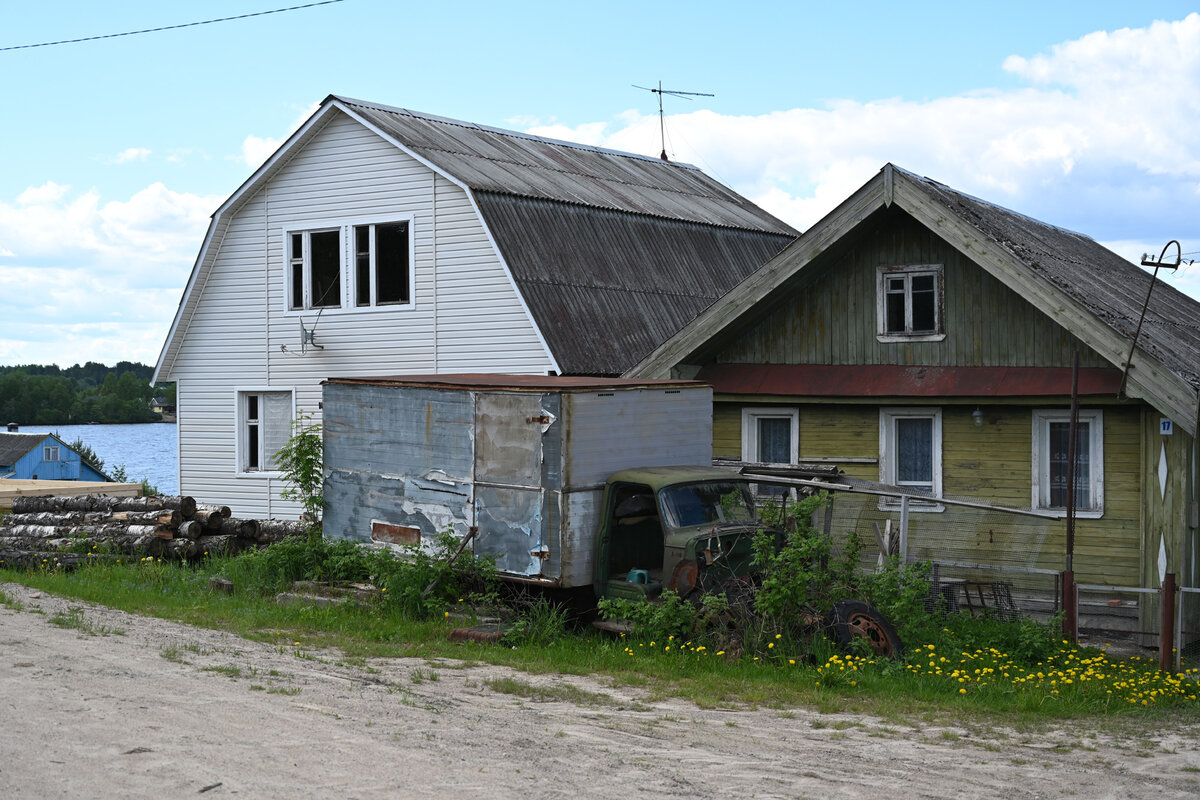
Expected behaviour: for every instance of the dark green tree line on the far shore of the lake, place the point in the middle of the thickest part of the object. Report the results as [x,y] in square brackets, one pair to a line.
[92,393]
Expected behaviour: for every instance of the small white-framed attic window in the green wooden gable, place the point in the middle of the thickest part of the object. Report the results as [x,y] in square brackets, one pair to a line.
[909,304]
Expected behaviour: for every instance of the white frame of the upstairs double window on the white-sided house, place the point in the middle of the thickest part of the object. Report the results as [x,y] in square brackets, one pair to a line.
[347,275]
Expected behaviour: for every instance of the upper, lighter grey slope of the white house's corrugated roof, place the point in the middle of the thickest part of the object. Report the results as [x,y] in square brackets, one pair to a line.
[494,160]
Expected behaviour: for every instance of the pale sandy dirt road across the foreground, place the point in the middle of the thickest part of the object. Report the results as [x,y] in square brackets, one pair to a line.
[105,705]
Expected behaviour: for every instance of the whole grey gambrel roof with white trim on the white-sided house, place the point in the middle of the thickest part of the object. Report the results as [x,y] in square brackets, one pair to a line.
[611,252]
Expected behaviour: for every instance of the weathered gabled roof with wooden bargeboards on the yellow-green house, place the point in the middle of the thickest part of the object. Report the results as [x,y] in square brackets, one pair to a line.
[1087,288]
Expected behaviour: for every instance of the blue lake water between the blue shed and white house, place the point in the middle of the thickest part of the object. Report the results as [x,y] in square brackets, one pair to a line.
[149,450]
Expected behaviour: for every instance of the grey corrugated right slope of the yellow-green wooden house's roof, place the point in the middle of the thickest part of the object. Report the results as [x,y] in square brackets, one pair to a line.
[1107,285]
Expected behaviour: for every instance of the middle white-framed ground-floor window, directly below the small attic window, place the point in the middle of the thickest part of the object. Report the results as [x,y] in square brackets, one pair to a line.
[911,453]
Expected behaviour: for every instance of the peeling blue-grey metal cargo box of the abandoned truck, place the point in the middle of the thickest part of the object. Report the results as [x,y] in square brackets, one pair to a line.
[521,458]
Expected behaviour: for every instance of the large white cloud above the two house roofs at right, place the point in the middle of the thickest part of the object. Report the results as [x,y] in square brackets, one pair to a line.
[1107,133]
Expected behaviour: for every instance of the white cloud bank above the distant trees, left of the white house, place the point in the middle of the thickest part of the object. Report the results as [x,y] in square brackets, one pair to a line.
[86,279]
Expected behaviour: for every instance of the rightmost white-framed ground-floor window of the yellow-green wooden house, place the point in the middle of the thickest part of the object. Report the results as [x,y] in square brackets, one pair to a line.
[1052,436]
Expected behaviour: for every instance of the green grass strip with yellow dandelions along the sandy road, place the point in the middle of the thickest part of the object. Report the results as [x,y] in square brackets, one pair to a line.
[969,688]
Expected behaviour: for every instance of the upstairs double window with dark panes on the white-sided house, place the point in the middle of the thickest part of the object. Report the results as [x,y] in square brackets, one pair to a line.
[350,264]
